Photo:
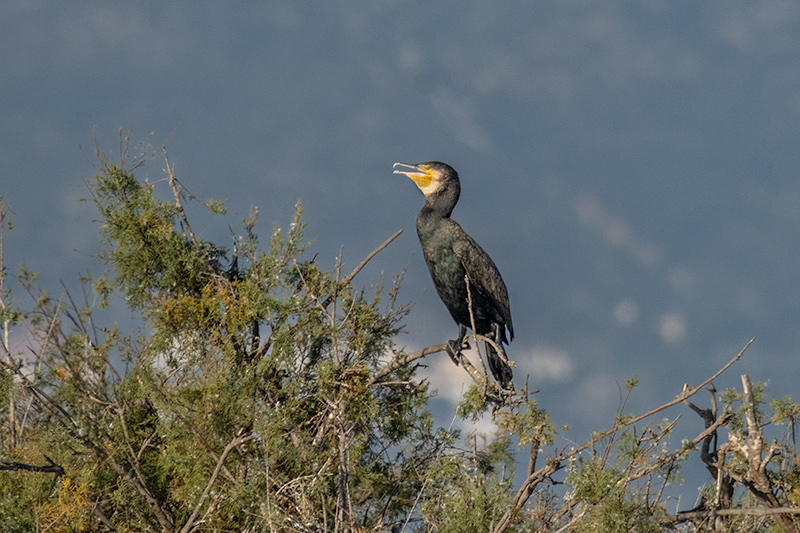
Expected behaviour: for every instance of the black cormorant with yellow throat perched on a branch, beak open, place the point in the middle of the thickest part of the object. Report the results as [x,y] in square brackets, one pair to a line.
[452,256]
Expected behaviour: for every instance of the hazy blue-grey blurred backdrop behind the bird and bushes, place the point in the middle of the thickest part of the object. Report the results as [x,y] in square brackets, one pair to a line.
[632,168]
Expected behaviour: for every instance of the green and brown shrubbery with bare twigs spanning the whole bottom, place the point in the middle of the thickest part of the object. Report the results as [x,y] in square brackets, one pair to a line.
[260,392]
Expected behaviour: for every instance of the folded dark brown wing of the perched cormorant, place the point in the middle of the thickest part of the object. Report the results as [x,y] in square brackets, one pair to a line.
[484,275]
